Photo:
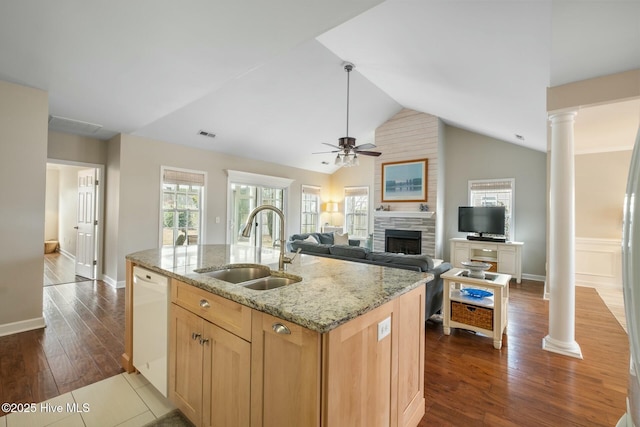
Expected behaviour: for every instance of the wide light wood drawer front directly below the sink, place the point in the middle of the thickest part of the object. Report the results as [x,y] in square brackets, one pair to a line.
[227,314]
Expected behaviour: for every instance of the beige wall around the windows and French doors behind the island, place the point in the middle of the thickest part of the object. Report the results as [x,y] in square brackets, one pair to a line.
[133,193]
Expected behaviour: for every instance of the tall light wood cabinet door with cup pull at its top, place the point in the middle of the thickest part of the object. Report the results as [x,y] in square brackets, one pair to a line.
[285,373]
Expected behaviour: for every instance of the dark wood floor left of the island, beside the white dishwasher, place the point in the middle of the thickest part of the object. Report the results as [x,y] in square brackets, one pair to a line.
[82,344]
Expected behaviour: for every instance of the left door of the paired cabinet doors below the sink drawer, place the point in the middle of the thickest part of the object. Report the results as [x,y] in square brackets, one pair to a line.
[185,362]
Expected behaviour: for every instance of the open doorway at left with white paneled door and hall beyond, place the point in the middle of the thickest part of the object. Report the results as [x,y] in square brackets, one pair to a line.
[73,226]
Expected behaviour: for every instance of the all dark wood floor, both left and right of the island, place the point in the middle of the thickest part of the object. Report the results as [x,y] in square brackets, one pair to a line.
[468,382]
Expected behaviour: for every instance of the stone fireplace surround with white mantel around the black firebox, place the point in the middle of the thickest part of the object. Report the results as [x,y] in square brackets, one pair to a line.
[405,220]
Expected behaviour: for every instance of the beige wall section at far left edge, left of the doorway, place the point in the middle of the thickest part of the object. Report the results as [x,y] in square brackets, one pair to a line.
[23,155]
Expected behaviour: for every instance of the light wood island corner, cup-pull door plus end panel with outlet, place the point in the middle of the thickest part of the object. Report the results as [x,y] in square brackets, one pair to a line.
[356,375]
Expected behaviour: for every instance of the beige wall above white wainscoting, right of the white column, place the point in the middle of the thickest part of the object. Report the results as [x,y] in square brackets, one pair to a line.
[601,181]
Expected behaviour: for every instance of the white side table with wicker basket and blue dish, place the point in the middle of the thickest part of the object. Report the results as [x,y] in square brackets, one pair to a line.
[486,315]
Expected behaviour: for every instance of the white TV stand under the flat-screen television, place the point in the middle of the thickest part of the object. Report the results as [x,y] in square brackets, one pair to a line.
[505,258]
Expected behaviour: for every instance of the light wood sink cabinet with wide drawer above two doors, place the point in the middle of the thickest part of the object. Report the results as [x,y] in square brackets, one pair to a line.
[209,367]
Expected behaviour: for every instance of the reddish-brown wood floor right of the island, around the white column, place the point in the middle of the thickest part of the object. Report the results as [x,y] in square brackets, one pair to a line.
[469,383]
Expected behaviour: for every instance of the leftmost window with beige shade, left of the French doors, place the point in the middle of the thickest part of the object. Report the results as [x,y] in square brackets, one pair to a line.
[182,211]
